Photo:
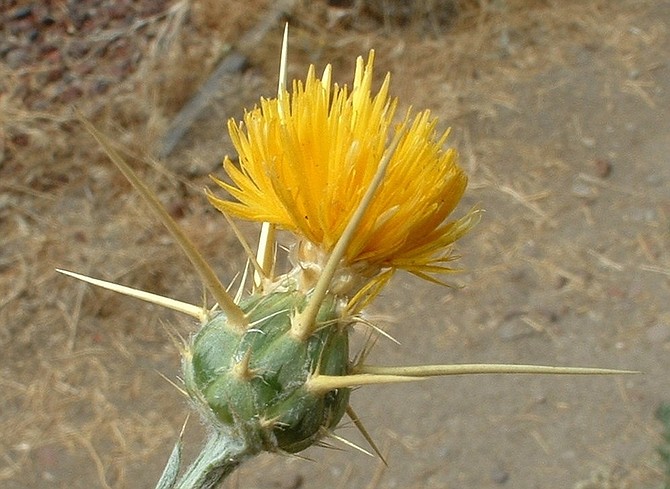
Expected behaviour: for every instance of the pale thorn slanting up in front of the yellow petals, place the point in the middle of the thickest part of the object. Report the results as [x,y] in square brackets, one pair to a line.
[305,322]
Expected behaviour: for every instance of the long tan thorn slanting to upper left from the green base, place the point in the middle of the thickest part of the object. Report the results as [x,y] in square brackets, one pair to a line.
[235,315]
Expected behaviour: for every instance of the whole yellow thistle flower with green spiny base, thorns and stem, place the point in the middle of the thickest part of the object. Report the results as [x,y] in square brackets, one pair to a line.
[271,370]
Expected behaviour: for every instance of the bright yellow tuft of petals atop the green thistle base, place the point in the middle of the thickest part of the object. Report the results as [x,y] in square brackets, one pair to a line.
[307,158]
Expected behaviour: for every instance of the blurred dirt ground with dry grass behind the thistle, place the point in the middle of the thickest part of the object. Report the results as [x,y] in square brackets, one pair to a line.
[561,112]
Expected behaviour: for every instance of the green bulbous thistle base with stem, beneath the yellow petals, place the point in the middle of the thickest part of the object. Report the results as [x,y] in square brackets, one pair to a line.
[252,387]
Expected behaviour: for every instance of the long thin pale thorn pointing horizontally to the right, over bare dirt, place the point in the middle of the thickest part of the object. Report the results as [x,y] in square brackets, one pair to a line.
[422,371]
